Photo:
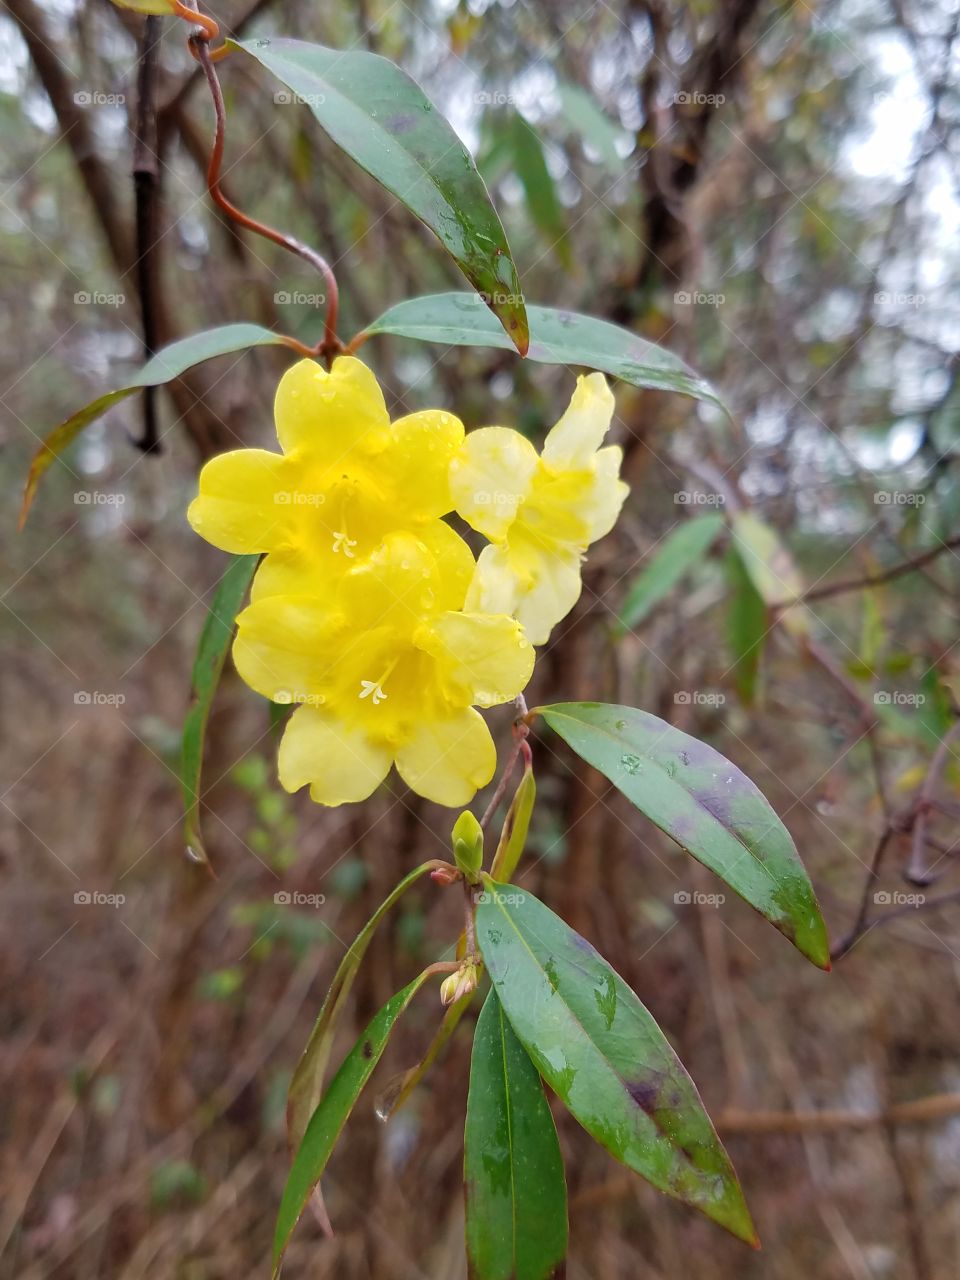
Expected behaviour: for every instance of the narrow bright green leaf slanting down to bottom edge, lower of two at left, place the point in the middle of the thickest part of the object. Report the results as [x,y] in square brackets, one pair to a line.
[333,1112]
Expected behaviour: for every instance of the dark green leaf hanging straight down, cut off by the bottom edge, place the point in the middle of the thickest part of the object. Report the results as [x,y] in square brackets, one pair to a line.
[516,1194]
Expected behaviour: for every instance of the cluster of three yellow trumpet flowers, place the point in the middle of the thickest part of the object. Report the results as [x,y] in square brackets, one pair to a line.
[369,611]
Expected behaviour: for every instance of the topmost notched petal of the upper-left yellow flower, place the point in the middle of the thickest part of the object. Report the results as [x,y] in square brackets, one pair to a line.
[327,415]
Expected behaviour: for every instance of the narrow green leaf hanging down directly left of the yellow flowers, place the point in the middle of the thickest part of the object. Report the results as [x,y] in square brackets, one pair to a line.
[208,668]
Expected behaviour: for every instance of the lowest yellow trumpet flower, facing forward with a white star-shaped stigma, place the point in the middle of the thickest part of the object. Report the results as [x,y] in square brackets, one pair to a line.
[388,671]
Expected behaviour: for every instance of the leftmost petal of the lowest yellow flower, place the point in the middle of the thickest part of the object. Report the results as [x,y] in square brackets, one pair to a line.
[287,647]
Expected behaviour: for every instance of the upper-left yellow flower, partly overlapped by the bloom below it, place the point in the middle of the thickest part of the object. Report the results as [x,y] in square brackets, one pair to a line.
[346,479]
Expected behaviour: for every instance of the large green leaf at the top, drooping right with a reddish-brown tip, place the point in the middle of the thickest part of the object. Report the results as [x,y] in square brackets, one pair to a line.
[382,118]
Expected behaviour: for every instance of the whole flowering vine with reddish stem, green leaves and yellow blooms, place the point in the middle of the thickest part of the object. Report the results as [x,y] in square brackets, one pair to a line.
[381,633]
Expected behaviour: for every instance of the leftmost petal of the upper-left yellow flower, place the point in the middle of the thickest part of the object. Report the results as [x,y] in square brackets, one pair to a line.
[244,504]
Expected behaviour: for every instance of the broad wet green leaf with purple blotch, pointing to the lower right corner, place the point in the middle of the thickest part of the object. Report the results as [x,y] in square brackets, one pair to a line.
[604,1054]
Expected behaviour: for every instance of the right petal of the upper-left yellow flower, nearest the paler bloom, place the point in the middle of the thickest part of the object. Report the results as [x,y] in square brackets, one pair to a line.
[419,461]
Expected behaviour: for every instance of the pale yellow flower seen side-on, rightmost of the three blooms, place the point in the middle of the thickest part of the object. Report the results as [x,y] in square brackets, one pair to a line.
[541,513]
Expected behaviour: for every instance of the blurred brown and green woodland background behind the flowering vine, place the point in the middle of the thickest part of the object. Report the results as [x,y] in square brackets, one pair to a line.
[771,191]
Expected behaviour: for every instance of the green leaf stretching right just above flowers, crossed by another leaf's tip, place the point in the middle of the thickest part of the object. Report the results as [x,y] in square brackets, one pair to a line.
[556,339]
